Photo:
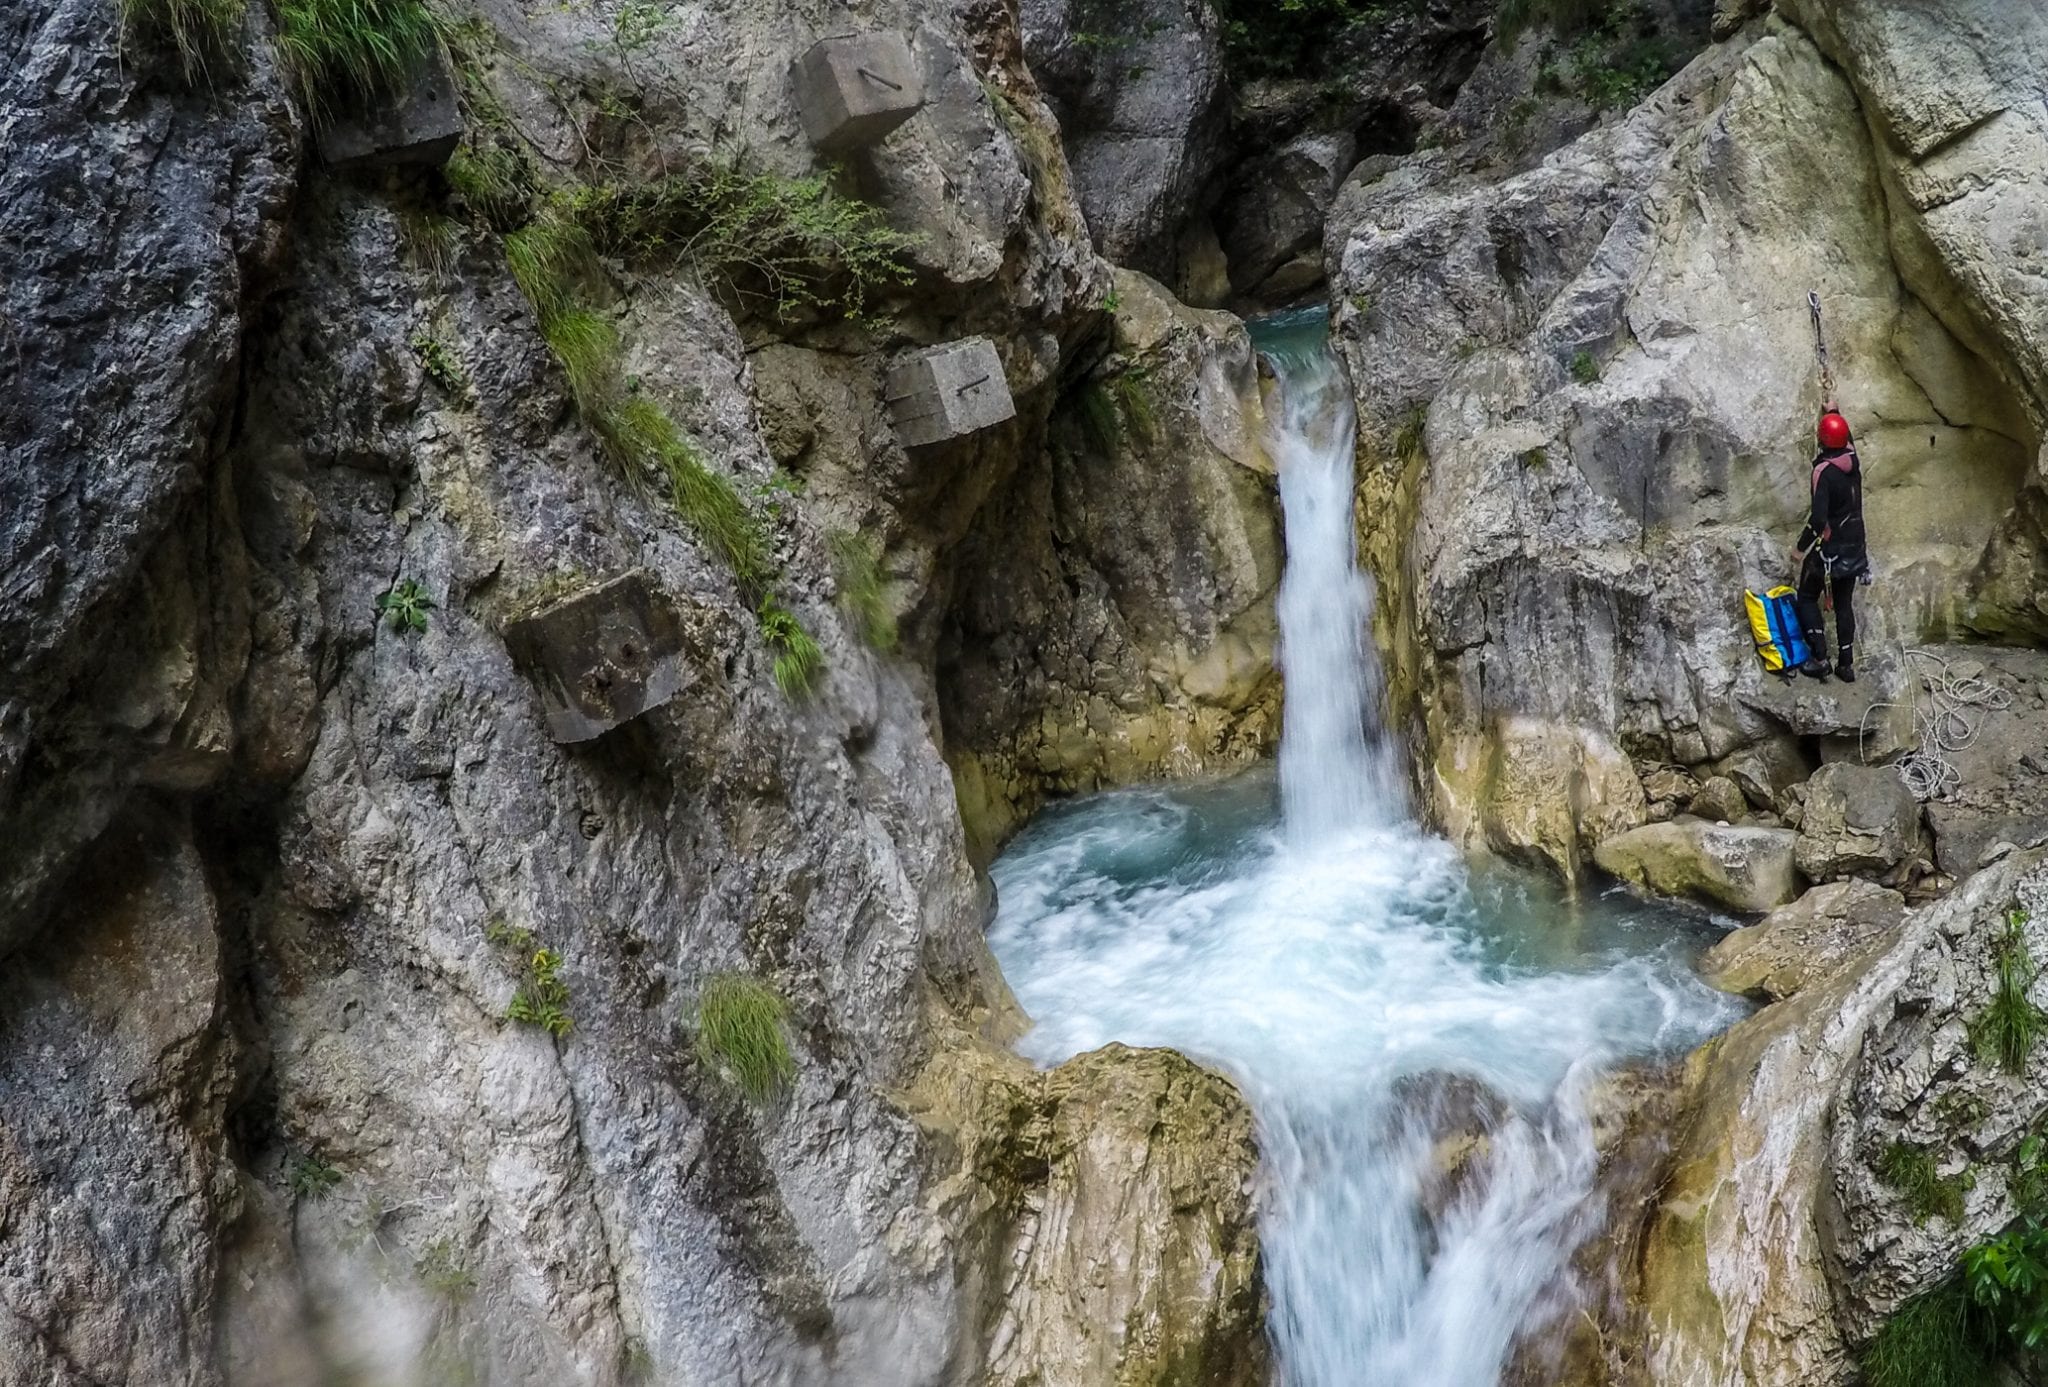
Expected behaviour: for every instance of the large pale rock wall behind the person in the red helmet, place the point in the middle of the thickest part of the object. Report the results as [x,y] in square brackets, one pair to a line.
[1588,392]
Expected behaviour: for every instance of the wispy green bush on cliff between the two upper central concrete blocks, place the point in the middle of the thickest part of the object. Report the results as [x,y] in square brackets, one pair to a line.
[794,243]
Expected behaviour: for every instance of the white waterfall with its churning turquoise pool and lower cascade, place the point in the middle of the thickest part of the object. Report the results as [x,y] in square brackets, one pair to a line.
[1365,989]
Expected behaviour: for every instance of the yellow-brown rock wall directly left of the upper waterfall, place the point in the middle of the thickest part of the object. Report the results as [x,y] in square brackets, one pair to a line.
[1142,640]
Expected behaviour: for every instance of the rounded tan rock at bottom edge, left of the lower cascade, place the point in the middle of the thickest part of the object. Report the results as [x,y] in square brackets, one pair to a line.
[1123,1187]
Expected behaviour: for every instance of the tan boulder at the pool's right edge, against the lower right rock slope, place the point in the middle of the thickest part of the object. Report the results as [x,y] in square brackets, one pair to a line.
[1801,943]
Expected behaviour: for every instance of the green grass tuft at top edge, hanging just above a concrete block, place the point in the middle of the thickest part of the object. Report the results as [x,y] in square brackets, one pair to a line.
[349,52]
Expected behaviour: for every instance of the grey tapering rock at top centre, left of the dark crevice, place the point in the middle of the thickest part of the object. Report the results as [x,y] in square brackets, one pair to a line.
[1144,116]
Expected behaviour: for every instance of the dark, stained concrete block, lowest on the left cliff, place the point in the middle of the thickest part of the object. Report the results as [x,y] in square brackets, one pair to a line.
[603,657]
